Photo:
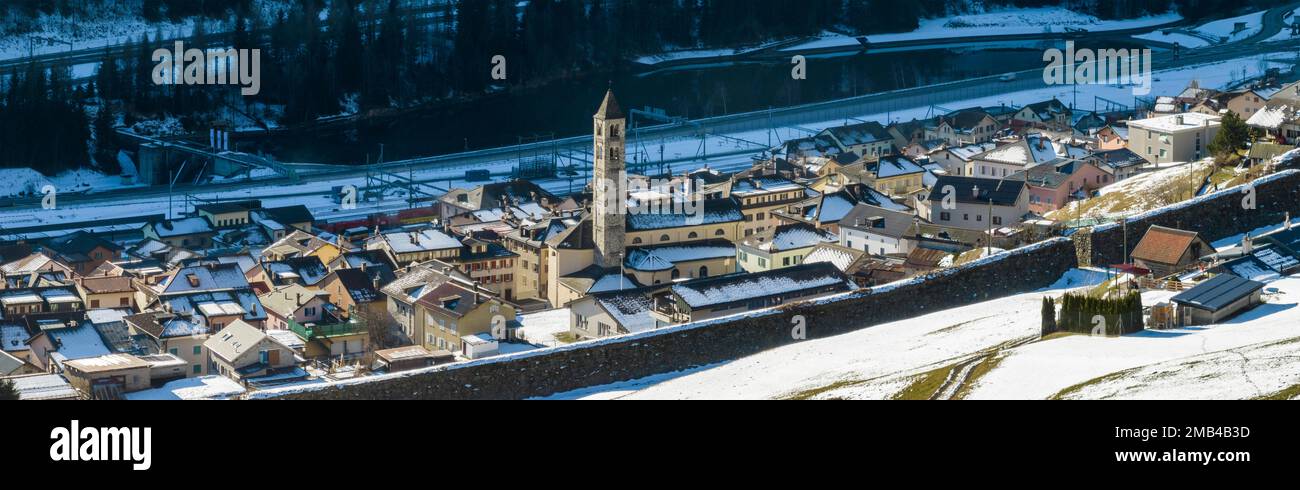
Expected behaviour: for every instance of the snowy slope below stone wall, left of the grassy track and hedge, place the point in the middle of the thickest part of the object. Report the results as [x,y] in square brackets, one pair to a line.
[870,363]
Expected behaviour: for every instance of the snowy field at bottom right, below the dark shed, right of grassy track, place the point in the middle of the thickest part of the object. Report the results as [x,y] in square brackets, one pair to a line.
[1253,355]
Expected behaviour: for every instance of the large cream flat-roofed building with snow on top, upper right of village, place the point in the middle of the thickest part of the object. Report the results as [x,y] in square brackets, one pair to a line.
[1173,138]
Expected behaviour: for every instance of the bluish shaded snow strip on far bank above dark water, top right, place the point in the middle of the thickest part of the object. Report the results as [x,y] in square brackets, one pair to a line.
[1008,21]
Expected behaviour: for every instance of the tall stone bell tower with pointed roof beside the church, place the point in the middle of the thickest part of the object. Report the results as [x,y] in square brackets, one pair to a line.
[608,183]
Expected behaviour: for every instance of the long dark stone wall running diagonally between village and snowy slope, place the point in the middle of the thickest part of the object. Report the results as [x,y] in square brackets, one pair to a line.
[595,363]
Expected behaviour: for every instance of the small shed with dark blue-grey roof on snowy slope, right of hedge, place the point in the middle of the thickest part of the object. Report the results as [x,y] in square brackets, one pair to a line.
[1217,300]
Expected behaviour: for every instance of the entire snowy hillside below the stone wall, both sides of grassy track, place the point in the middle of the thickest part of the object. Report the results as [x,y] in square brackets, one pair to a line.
[1253,355]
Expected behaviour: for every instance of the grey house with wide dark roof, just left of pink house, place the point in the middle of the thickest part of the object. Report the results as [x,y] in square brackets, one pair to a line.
[977,203]
